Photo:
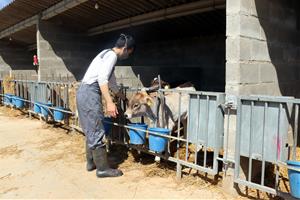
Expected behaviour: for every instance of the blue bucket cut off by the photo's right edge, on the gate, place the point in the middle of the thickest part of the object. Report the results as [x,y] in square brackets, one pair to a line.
[294,177]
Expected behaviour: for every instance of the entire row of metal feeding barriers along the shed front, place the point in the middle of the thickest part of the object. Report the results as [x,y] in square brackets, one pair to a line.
[266,129]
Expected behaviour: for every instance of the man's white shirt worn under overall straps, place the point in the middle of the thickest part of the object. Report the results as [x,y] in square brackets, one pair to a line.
[101,70]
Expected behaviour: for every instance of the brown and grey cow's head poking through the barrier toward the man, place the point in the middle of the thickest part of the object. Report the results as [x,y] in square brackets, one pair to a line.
[140,104]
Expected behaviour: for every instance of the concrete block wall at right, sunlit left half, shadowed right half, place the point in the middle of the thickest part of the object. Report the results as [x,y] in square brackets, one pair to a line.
[262,48]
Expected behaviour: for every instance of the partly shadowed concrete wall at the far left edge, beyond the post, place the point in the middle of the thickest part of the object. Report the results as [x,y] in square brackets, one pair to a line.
[16,61]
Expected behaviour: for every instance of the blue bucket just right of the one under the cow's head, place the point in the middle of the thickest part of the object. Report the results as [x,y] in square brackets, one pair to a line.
[158,143]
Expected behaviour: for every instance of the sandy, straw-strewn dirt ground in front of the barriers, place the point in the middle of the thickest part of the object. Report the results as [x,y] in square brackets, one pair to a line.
[39,161]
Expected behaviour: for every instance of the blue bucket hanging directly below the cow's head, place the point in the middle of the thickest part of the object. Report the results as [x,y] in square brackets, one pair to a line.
[137,137]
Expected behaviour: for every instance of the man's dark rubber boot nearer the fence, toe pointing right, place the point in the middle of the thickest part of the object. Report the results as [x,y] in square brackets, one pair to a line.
[103,169]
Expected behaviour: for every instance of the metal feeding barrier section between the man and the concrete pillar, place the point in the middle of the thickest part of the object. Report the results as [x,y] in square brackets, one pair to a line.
[204,135]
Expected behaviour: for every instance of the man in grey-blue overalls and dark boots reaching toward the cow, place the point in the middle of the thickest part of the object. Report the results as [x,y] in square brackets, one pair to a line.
[97,81]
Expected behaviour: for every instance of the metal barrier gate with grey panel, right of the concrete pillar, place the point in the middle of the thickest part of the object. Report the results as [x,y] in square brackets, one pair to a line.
[267,135]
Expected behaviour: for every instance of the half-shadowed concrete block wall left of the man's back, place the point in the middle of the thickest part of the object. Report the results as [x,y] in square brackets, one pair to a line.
[63,53]
